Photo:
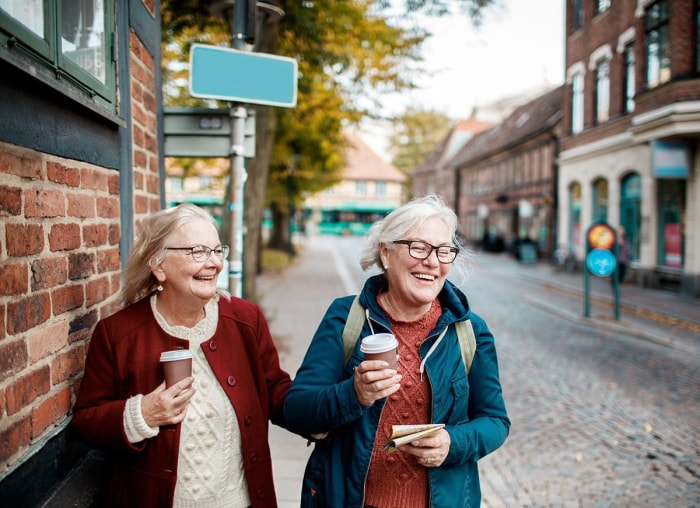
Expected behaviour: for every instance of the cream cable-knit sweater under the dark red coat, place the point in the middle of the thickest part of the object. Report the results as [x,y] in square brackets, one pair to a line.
[210,466]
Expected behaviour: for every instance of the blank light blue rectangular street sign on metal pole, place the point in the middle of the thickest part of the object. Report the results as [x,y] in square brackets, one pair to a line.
[241,76]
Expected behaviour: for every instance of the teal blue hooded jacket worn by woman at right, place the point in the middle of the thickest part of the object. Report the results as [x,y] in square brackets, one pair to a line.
[322,400]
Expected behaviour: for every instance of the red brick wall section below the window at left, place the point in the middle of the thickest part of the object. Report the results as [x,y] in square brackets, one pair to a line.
[59,273]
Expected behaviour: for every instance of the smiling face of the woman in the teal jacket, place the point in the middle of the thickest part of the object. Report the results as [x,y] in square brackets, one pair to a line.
[414,283]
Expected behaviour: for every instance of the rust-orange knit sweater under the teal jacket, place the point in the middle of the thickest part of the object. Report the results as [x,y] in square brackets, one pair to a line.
[396,479]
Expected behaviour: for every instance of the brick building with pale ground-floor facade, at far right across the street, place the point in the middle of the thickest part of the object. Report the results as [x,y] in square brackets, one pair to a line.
[629,154]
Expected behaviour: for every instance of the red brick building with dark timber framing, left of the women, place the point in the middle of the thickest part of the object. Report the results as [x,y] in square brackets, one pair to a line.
[79,165]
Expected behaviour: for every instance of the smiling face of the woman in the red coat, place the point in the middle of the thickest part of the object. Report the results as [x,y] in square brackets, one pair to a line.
[188,283]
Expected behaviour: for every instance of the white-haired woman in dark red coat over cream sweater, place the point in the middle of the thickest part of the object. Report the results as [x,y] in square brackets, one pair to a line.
[202,441]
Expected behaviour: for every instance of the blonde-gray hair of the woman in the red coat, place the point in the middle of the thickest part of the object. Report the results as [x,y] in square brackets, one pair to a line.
[149,248]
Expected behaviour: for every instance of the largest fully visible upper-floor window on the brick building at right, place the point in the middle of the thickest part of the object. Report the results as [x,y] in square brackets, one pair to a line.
[658,47]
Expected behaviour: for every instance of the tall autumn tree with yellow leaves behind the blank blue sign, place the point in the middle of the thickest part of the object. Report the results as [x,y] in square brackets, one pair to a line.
[347,51]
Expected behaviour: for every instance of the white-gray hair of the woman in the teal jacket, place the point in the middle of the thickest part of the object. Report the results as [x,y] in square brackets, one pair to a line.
[402,221]
